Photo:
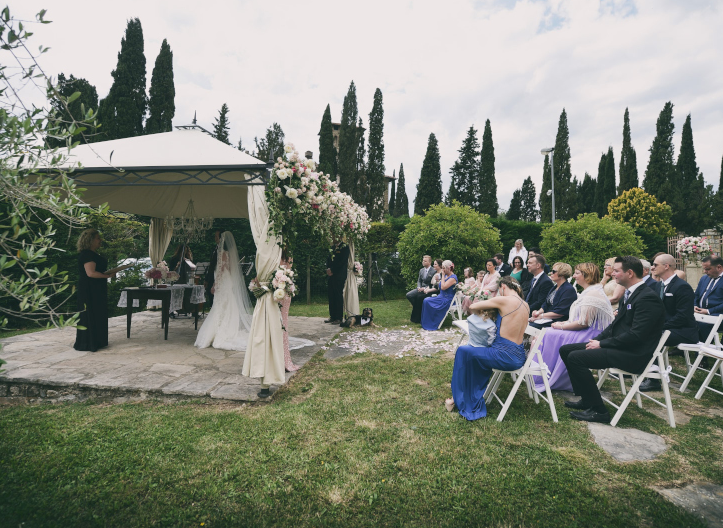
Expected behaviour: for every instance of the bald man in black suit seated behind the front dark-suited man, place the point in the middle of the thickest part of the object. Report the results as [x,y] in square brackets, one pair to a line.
[678,299]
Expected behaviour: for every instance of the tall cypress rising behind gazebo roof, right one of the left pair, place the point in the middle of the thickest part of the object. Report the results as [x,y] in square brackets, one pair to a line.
[161,103]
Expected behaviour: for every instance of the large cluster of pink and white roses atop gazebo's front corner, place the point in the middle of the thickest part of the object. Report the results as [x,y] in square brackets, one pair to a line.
[297,192]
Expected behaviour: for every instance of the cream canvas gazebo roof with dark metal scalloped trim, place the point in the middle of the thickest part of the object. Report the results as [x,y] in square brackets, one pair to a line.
[156,175]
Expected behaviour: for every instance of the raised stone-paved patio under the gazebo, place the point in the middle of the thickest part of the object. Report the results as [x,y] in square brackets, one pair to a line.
[44,365]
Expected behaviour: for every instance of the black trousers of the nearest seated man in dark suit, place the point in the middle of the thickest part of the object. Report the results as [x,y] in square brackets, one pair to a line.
[579,361]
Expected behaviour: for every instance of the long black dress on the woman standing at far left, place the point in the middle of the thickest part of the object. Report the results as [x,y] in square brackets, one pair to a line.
[92,304]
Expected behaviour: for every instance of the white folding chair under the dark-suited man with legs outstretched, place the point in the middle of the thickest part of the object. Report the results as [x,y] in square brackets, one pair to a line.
[655,373]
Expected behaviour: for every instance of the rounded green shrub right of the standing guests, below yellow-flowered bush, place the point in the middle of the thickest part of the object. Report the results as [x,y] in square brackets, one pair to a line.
[589,239]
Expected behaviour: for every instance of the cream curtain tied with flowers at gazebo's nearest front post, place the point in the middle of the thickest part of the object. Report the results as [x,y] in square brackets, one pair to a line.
[265,351]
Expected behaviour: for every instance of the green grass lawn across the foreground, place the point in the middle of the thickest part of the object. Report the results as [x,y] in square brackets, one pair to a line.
[359,441]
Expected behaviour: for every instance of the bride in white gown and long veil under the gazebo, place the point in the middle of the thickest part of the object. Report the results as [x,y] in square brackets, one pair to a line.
[229,321]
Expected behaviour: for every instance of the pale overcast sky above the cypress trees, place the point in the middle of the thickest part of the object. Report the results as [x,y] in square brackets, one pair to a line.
[441,66]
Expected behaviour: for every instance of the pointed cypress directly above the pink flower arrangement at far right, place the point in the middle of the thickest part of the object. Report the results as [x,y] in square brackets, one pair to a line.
[690,214]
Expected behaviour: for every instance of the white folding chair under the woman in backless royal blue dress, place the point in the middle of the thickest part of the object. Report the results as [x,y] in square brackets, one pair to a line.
[534,366]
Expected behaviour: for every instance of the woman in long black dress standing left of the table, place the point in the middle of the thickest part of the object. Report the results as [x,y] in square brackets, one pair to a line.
[92,293]
